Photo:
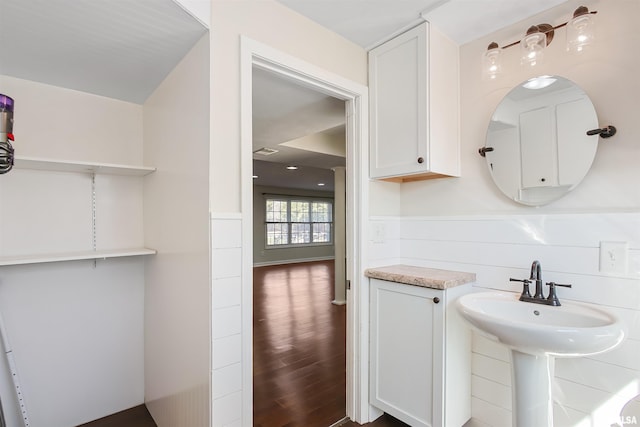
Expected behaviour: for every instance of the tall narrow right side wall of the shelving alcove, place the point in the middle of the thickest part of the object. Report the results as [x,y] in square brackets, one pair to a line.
[176,224]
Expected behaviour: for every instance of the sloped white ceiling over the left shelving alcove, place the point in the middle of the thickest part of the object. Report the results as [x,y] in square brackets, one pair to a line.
[120,49]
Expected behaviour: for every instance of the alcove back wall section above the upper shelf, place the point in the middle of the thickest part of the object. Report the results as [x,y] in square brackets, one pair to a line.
[56,123]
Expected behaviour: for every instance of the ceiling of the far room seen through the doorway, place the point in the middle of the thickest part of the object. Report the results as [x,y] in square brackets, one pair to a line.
[303,125]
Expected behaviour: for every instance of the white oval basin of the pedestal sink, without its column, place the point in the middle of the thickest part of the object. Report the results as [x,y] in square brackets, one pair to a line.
[573,329]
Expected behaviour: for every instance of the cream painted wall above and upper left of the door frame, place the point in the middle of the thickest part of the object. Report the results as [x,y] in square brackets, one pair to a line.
[271,23]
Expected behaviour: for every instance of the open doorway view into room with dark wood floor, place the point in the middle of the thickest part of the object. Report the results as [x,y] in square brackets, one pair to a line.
[299,325]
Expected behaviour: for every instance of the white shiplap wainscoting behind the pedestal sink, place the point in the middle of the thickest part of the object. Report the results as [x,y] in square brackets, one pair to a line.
[596,391]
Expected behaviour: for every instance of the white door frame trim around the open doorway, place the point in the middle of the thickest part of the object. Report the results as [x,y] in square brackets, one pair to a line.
[355,95]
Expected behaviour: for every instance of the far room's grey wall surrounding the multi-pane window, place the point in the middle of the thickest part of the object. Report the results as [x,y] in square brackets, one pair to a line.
[270,256]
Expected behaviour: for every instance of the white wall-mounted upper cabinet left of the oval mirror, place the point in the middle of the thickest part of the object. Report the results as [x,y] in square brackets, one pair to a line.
[414,103]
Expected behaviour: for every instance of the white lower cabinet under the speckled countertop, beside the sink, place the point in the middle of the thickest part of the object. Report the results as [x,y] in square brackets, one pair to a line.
[420,354]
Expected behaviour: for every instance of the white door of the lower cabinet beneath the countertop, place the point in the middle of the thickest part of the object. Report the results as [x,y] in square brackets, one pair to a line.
[406,341]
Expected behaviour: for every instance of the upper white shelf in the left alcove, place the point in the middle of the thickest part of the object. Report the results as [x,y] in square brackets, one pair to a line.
[85,167]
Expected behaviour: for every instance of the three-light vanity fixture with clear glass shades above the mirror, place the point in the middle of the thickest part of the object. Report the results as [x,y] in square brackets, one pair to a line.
[580,33]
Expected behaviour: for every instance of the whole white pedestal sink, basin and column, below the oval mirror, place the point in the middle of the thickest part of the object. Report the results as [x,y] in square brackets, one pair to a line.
[536,333]
